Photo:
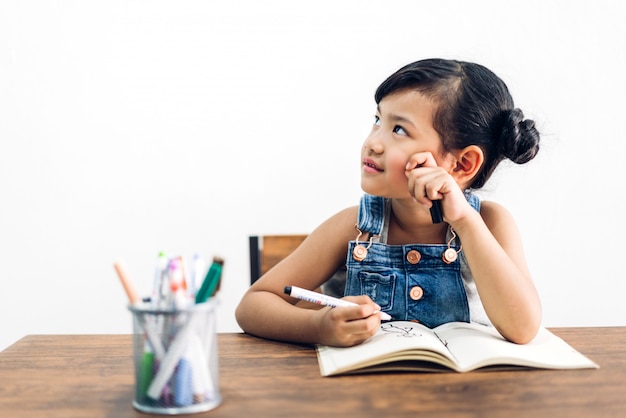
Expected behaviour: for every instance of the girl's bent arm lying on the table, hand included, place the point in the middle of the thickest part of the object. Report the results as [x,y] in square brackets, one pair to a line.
[267,312]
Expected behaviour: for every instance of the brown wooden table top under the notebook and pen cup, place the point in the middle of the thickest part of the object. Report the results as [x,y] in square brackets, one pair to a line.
[92,376]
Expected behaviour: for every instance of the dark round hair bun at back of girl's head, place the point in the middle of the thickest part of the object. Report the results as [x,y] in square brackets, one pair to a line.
[519,139]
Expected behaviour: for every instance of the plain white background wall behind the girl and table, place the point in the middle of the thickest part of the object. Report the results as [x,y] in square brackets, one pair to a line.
[133,127]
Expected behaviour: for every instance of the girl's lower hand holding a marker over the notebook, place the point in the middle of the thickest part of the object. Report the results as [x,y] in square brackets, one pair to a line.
[348,326]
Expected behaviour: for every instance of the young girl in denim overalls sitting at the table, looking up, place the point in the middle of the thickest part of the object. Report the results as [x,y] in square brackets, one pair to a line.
[441,128]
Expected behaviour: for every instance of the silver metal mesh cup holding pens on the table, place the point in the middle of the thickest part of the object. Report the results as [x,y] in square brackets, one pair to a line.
[176,363]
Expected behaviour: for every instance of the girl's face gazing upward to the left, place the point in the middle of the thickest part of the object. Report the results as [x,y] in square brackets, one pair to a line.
[403,126]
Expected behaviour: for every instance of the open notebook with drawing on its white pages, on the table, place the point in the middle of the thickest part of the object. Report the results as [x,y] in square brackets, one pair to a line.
[455,346]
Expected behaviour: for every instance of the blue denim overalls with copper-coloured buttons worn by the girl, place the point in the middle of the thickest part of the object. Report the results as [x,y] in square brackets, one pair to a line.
[409,282]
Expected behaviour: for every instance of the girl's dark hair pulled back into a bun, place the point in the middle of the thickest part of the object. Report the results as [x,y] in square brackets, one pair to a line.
[473,107]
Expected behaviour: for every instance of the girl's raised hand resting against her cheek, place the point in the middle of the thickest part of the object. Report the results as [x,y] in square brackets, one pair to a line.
[429,182]
